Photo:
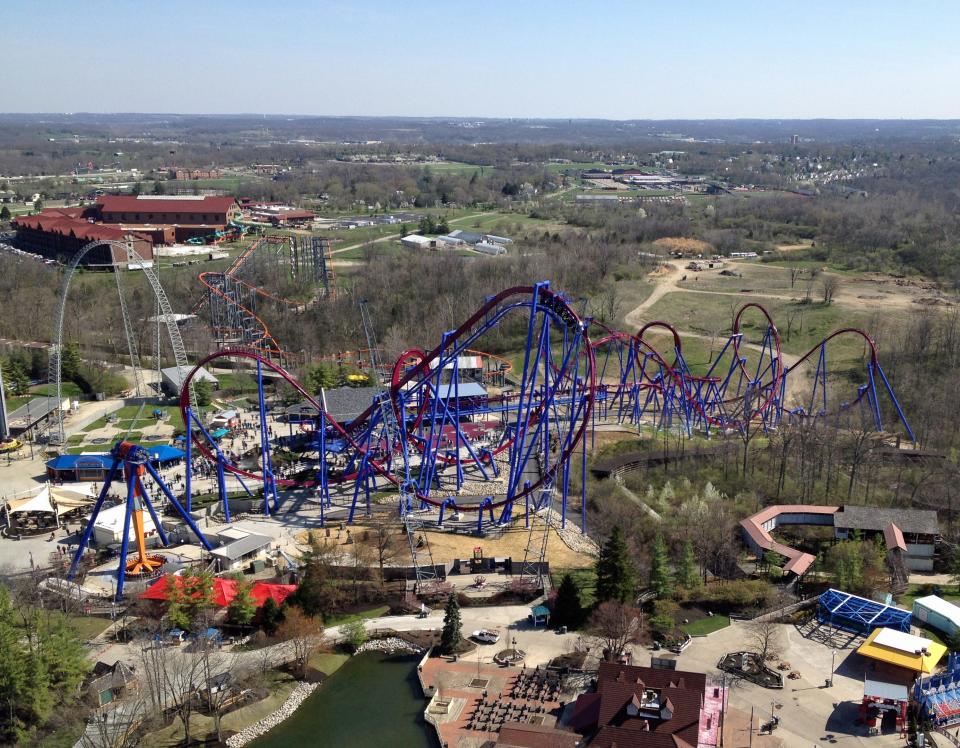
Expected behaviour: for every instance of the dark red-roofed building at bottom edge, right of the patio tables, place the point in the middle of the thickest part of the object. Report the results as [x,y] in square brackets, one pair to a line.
[642,706]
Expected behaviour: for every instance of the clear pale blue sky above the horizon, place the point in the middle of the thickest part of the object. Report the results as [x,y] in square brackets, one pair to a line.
[486,58]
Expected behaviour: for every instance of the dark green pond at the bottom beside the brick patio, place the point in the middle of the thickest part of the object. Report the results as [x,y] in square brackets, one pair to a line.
[373,700]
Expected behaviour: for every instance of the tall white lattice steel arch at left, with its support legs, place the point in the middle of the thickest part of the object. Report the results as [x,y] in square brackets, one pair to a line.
[54,370]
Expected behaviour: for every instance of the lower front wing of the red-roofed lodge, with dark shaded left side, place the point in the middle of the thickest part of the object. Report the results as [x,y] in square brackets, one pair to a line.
[59,233]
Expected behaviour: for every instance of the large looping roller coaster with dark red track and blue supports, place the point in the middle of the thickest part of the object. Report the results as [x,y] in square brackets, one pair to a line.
[441,441]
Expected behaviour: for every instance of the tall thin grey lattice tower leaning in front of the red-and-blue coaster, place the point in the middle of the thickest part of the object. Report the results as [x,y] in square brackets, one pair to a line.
[394,435]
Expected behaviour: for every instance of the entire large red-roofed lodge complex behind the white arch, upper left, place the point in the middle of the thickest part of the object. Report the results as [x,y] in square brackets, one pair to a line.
[146,221]
